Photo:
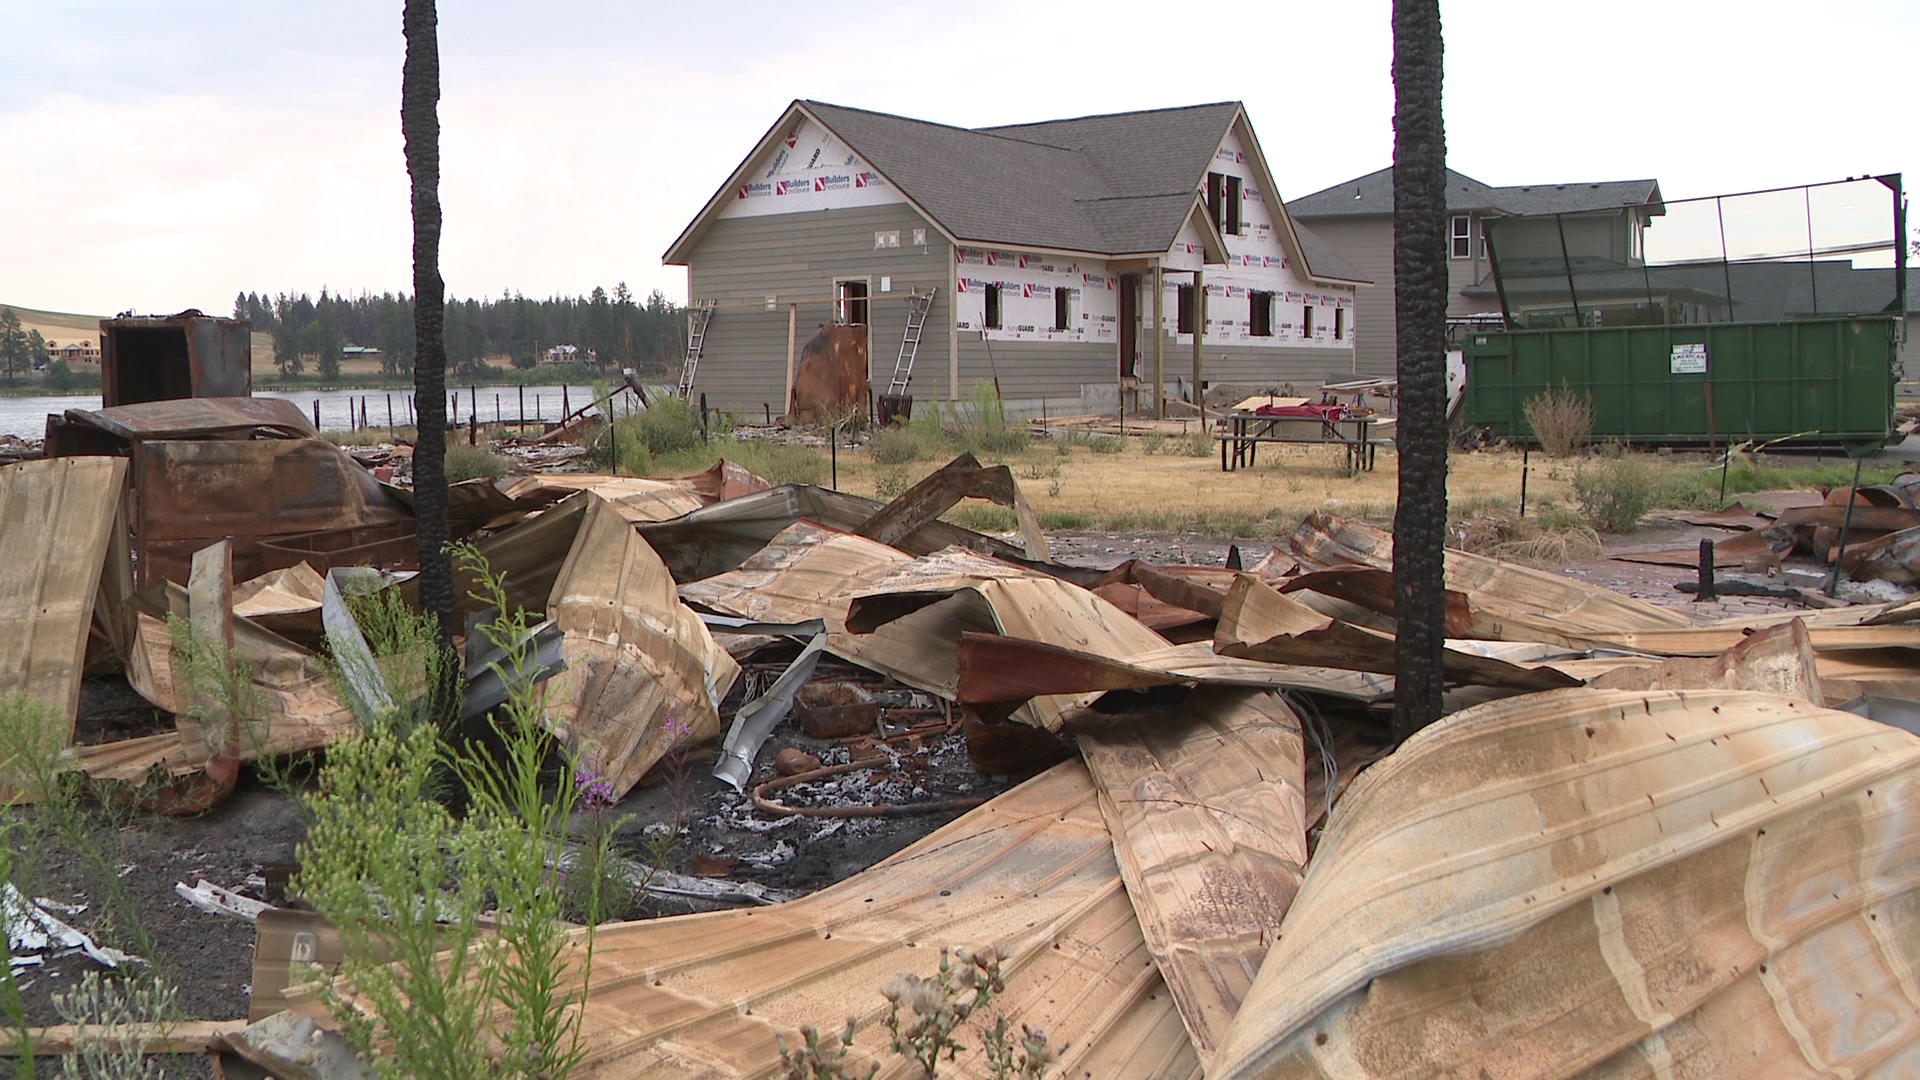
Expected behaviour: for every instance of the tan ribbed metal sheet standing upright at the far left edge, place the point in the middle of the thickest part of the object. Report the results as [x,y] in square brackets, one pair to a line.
[57,528]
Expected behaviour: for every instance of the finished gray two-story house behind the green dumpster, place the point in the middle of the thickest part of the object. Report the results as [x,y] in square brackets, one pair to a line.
[1356,220]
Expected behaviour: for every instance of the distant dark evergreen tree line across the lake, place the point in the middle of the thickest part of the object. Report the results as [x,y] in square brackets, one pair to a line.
[619,330]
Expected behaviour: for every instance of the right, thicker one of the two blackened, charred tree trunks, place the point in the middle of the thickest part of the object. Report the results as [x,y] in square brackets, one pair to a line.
[1420,307]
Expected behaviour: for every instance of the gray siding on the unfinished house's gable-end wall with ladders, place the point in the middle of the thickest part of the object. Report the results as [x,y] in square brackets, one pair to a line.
[798,257]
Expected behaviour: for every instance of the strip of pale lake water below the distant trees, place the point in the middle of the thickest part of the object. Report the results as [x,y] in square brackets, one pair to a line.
[339,408]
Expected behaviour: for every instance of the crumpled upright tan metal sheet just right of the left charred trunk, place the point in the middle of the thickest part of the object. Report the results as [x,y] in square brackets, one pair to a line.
[636,656]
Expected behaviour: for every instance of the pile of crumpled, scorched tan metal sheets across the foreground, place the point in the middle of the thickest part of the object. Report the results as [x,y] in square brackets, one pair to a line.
[1641,841]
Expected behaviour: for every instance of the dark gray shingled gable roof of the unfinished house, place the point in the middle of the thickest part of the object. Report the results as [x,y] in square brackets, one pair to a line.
[1118,185]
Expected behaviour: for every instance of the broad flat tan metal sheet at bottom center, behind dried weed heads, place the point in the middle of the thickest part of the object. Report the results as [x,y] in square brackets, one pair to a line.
[1034,871]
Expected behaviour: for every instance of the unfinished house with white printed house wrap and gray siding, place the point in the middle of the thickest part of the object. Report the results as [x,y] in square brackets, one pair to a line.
[1040,245]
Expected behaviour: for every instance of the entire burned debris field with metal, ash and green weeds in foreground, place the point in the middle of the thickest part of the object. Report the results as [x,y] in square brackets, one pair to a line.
[752,762]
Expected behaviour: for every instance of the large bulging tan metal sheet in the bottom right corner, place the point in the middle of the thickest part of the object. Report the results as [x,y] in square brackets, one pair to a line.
[1710,885]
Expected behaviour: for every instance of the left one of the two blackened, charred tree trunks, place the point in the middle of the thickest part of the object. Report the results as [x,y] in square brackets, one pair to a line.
[420,122]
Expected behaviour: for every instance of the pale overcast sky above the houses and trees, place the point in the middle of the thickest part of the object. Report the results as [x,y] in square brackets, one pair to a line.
[170,155]
